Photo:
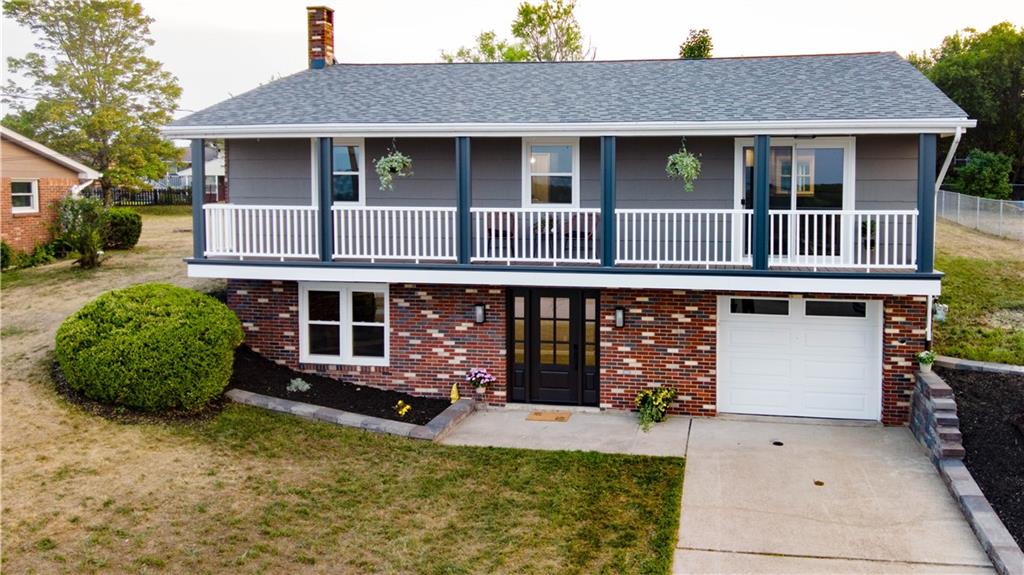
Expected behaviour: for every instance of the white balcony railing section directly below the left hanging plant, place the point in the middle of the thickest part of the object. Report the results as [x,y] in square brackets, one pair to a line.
[395,234]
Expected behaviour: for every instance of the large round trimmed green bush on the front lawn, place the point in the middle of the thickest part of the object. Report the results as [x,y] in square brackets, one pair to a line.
[153,347]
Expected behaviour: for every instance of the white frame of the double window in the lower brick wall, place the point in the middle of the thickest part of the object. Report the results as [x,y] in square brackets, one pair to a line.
[346,321]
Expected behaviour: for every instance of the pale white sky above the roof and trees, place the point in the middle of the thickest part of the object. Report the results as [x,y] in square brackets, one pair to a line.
[220,49]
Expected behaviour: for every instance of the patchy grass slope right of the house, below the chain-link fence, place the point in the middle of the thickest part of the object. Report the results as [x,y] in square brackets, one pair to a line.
[985,288]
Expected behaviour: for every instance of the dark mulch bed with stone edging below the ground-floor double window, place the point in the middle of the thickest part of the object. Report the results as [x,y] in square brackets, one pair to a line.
[259,375]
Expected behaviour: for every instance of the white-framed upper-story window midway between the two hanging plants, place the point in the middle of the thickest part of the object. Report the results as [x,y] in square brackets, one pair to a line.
[551,172]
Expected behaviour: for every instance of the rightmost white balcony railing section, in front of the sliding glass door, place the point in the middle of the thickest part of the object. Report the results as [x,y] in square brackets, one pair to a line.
[856,240]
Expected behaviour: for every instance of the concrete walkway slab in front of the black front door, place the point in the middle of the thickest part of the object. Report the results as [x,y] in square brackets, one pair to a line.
[611,433]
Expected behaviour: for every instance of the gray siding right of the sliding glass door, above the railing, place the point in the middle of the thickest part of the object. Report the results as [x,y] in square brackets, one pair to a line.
[887,172]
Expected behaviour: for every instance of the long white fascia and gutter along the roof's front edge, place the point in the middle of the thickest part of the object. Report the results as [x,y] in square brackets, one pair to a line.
[783,128]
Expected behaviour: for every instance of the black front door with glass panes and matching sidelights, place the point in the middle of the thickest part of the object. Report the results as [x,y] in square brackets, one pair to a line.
[553,346]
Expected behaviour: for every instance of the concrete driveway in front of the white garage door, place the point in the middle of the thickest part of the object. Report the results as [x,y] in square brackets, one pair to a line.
[753,507]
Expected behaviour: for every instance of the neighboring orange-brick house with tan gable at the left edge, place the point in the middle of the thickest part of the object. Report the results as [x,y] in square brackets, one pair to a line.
[34,180]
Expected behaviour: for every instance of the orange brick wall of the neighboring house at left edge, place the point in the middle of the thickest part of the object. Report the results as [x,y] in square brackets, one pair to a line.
[25,232]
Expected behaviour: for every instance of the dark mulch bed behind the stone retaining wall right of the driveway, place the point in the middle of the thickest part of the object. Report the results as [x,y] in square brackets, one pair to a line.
[991,408]
